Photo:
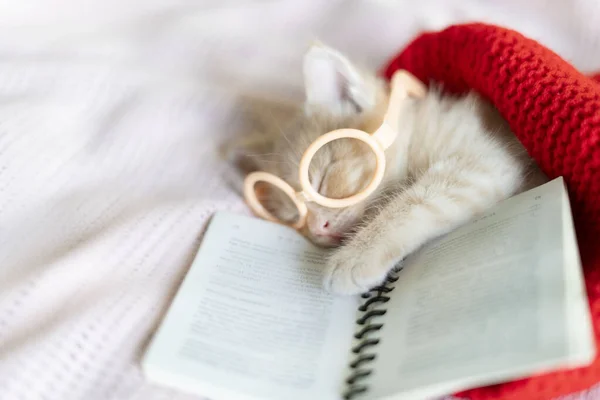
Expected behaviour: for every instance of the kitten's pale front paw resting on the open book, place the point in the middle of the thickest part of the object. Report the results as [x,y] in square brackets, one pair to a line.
[353,271]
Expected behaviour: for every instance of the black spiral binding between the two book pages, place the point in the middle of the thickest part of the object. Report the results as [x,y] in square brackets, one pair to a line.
[359,366]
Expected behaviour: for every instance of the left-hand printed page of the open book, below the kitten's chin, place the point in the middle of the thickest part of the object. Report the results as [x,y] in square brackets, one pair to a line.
[251,319]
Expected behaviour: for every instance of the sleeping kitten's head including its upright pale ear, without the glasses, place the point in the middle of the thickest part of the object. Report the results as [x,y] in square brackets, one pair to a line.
[338,95]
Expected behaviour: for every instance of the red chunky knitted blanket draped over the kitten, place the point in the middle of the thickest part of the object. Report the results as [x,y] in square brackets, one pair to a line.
[555,111]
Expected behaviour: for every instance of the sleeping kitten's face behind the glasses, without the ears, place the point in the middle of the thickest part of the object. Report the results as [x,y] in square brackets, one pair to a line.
[340,169]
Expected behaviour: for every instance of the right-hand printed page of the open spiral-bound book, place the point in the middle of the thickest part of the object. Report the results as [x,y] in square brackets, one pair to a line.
[492,301]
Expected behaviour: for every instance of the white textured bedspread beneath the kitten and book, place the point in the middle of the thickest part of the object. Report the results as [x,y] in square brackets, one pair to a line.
[110,114]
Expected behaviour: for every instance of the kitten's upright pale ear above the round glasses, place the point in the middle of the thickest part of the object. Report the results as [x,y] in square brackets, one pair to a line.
[333,83]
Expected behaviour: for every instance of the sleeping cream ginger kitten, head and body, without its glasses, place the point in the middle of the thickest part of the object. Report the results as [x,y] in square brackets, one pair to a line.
[461,160]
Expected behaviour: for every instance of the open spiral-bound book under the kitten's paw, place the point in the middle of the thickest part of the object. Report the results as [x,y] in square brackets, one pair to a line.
[498,299]
